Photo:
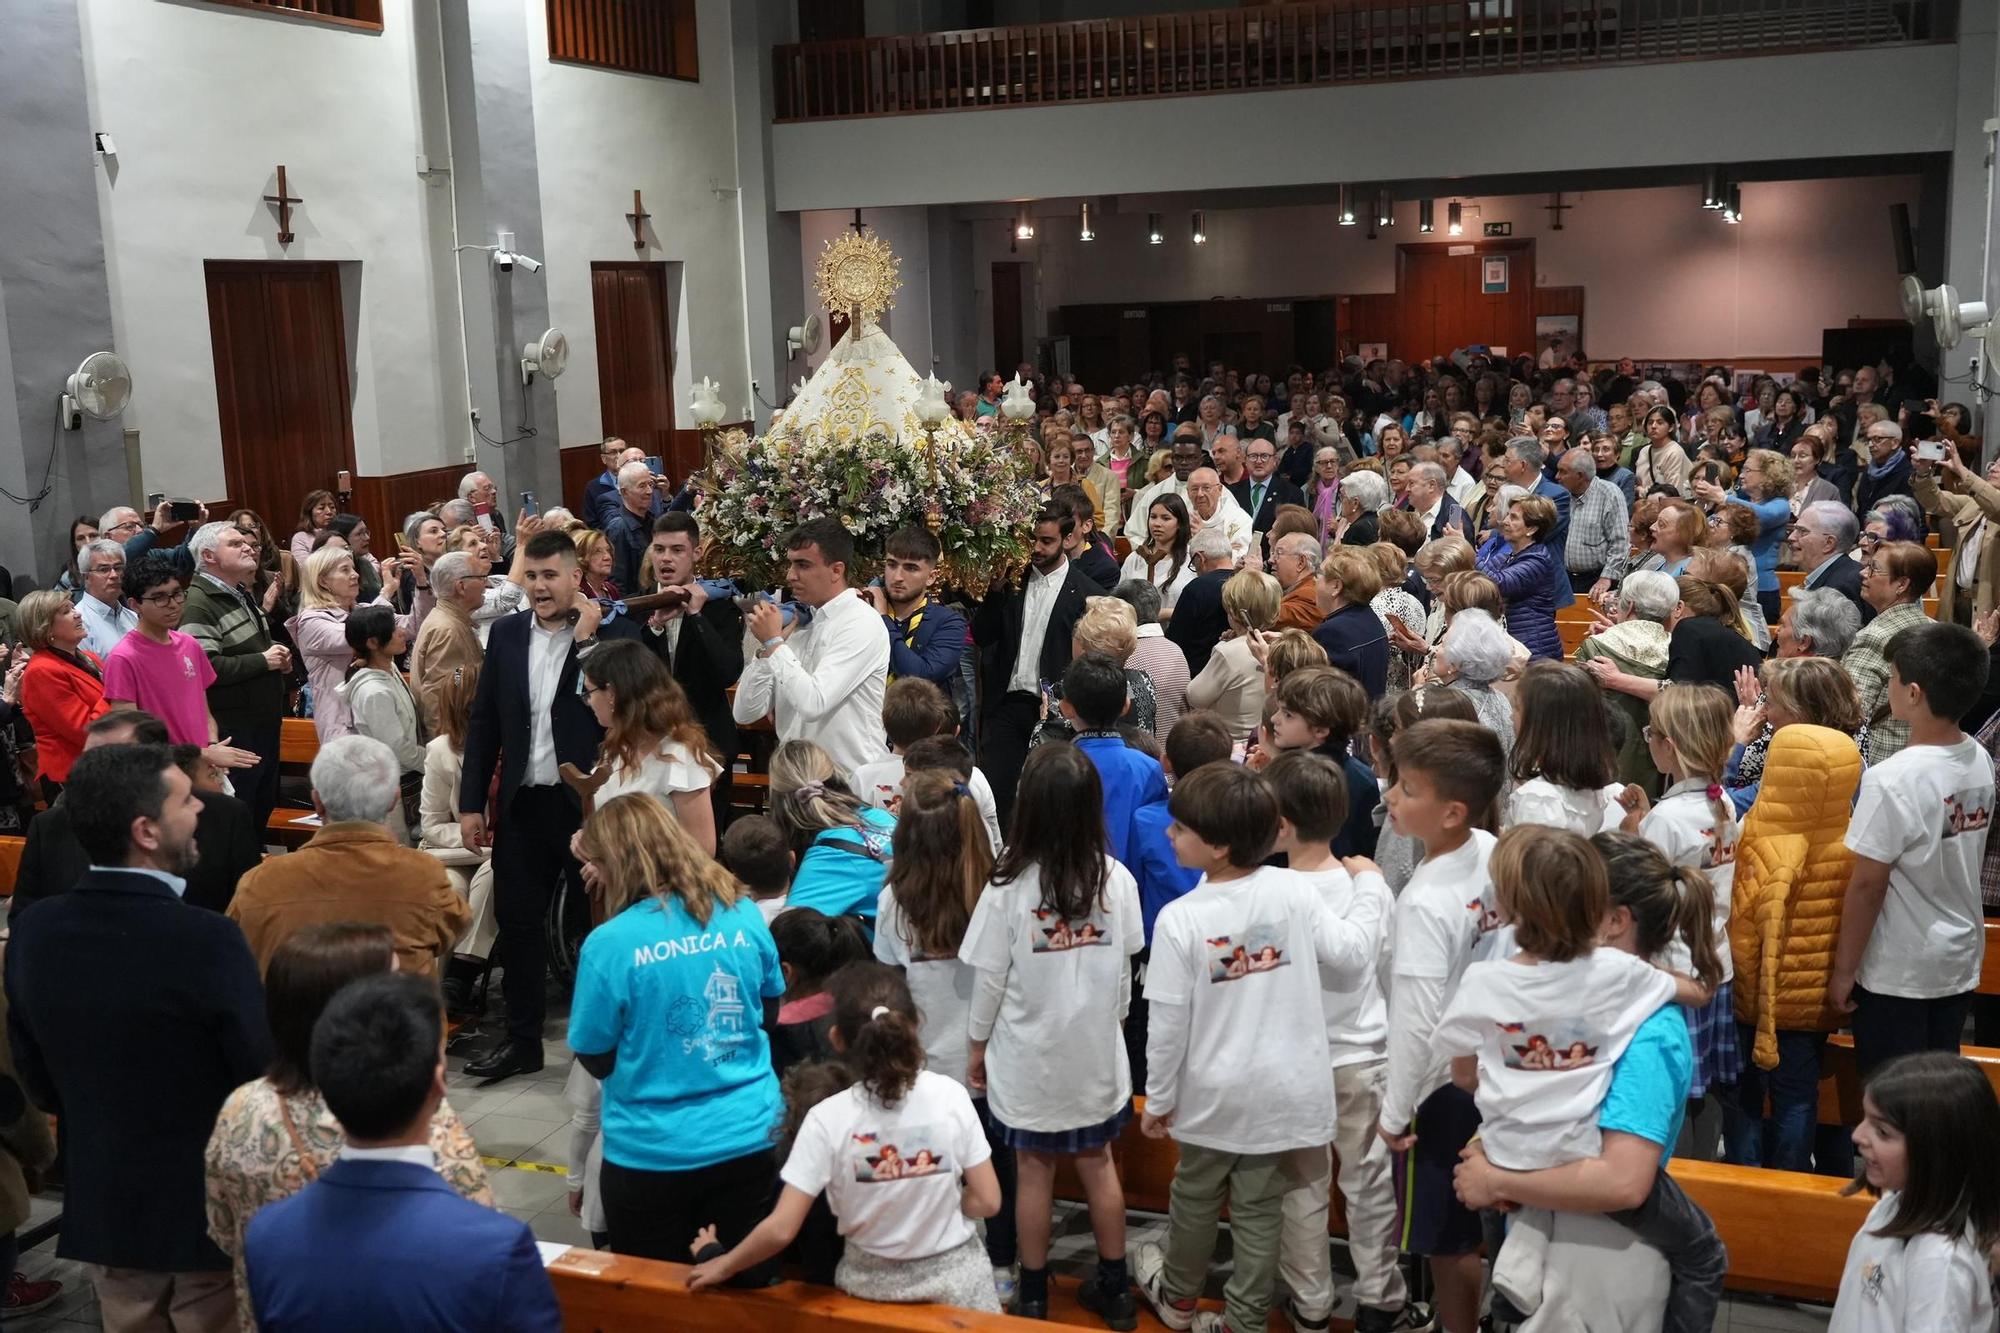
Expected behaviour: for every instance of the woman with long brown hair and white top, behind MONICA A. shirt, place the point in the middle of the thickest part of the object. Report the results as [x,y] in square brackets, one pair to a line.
[651,738]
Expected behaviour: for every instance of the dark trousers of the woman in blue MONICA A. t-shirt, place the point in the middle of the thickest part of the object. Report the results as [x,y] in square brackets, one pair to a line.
[655,1214]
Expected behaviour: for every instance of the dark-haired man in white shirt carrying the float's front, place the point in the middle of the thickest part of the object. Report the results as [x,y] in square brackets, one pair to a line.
[823,678]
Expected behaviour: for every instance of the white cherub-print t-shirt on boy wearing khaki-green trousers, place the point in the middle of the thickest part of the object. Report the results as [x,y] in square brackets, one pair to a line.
[1241,966]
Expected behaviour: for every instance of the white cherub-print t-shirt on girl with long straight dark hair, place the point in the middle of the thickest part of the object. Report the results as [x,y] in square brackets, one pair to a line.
[1051,1002]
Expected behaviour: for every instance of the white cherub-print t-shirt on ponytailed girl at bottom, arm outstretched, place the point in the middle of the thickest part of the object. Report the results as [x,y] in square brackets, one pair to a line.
[893,1174]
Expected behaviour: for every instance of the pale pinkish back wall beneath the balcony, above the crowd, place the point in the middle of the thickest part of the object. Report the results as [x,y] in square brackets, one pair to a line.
[1663,279]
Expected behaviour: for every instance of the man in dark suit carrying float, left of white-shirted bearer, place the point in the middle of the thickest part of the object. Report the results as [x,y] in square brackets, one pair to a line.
[701,643]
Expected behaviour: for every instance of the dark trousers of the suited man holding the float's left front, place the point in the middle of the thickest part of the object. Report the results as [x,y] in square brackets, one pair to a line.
[531,858]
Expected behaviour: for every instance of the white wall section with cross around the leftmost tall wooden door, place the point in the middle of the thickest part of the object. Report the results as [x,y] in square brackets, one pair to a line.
[203,103]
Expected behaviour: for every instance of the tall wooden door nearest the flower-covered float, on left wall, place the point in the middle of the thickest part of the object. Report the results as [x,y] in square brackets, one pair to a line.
[637,361]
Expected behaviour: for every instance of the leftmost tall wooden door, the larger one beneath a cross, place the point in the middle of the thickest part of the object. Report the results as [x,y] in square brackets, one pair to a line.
[281,355]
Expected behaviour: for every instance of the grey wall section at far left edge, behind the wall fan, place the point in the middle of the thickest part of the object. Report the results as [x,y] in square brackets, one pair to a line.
[55,301]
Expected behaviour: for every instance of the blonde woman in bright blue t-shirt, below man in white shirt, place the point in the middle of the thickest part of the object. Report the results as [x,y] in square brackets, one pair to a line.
[841,844]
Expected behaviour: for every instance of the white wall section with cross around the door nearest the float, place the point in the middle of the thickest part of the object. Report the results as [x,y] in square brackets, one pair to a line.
[599,137]
